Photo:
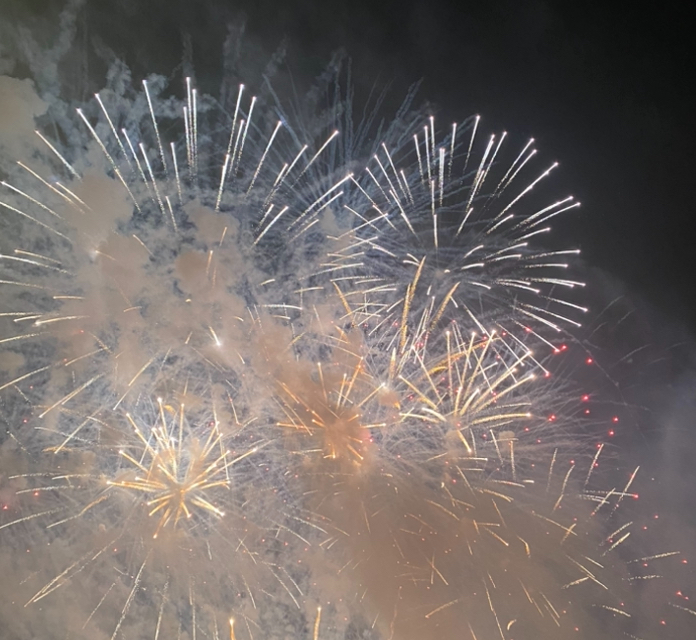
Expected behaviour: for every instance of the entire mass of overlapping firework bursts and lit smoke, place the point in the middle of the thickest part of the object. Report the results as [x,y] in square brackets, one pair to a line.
[247,360]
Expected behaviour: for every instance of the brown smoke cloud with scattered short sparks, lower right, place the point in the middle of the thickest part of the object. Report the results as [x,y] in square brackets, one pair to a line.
[410,544]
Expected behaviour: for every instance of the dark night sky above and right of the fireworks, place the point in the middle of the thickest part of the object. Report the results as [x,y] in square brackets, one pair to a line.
[606,88]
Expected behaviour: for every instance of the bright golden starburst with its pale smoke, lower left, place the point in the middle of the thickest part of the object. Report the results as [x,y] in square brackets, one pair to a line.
[165,499]
